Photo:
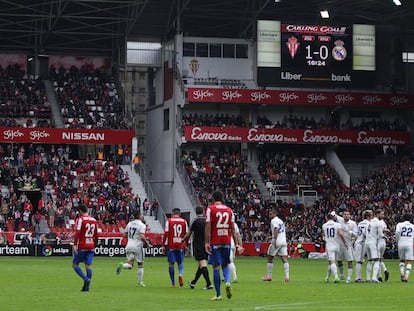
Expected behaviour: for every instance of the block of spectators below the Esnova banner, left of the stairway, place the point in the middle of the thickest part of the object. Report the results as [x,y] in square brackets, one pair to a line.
[227,170]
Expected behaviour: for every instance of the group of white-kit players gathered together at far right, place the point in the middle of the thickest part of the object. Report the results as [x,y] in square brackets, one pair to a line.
[348,241]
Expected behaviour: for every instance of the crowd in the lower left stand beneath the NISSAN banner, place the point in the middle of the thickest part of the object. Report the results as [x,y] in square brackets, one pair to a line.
[63,183]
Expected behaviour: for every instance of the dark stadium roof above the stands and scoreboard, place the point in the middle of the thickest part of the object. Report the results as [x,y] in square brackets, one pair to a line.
[100,26]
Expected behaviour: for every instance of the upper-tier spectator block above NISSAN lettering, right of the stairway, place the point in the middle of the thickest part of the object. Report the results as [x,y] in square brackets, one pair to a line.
[88,98]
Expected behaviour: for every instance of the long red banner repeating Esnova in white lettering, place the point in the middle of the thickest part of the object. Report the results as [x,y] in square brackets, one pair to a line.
[294,136]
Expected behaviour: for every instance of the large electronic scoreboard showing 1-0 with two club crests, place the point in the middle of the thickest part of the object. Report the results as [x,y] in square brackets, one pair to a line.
[311,55]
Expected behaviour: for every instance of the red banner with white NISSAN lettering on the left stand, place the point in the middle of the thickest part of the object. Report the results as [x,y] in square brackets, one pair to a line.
[65,136]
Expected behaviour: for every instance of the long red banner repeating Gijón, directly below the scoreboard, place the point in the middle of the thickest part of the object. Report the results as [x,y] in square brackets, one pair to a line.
[299,97]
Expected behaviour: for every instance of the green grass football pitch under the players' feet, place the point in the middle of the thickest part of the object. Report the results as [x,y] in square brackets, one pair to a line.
[51,284]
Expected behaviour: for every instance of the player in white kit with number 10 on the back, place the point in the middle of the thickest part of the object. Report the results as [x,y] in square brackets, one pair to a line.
[333,235]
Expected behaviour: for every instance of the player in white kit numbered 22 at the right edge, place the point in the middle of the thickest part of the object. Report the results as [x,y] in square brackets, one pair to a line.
[404,233]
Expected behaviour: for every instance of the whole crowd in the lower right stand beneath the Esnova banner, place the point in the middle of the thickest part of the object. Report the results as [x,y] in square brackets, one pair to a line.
[390,189]
